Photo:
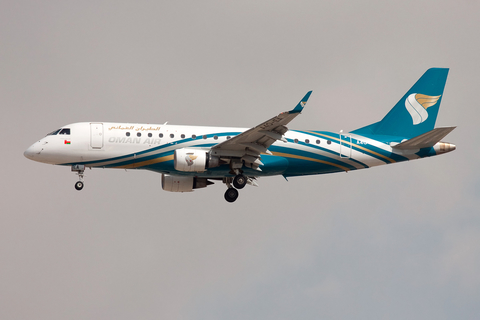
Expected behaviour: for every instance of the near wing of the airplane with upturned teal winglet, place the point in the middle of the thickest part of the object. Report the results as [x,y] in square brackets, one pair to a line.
[250,144]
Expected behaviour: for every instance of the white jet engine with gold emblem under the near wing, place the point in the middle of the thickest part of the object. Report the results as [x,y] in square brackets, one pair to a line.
[194,160]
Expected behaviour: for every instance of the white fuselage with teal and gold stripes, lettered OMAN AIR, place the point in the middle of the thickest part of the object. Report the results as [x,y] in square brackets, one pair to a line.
[112,145]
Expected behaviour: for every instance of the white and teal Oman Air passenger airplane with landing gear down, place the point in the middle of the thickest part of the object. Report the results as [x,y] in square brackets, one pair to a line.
[192,157]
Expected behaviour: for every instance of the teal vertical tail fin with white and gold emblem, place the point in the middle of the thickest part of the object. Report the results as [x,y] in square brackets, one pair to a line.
[416,112]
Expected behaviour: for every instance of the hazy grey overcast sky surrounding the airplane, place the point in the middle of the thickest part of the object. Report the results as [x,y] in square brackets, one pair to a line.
[393,242]
